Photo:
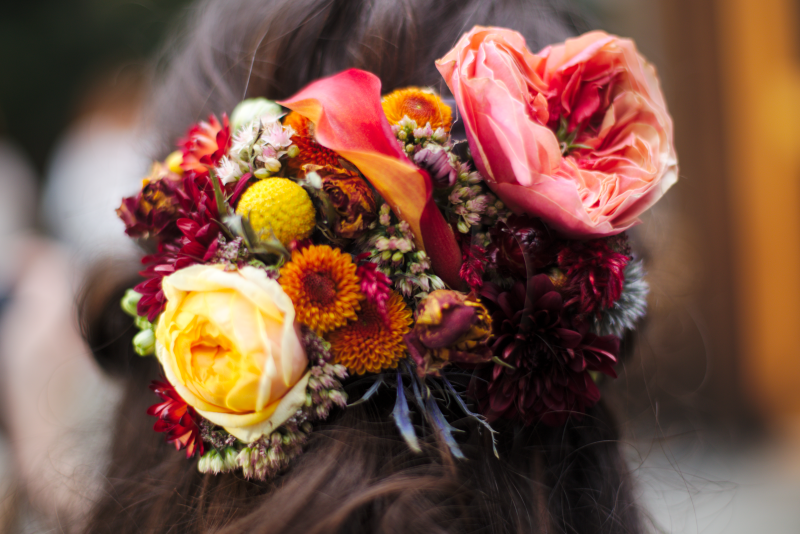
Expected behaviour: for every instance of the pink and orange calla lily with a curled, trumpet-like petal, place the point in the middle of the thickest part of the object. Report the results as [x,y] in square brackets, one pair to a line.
[346,110]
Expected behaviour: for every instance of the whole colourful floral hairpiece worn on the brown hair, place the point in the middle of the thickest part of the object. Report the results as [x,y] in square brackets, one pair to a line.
[353,235]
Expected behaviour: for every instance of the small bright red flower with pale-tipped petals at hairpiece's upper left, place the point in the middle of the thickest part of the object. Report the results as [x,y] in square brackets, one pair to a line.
[204,145]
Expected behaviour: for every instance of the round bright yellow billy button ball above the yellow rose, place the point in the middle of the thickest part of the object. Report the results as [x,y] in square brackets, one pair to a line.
[280,206]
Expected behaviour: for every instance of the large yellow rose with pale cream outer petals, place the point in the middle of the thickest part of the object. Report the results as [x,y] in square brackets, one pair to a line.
[229,345]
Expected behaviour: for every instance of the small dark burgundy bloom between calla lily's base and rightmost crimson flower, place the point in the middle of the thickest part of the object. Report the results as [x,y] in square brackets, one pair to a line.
[519,238]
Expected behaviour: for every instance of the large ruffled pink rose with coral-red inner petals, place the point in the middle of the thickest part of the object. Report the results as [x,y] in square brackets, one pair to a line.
[577,134]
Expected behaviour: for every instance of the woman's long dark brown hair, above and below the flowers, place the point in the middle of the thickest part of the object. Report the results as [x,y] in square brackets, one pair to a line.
[357,475]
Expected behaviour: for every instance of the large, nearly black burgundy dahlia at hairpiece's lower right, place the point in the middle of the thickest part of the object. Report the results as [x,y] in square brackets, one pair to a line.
[547,377]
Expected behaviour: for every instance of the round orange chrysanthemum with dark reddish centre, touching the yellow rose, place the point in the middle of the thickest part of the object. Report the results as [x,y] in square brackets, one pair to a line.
[322,283]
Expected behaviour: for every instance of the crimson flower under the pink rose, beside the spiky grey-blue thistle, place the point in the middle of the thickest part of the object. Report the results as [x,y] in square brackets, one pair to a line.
[595,273]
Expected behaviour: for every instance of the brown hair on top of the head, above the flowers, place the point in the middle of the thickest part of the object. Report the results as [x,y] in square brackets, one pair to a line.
[247,48]
